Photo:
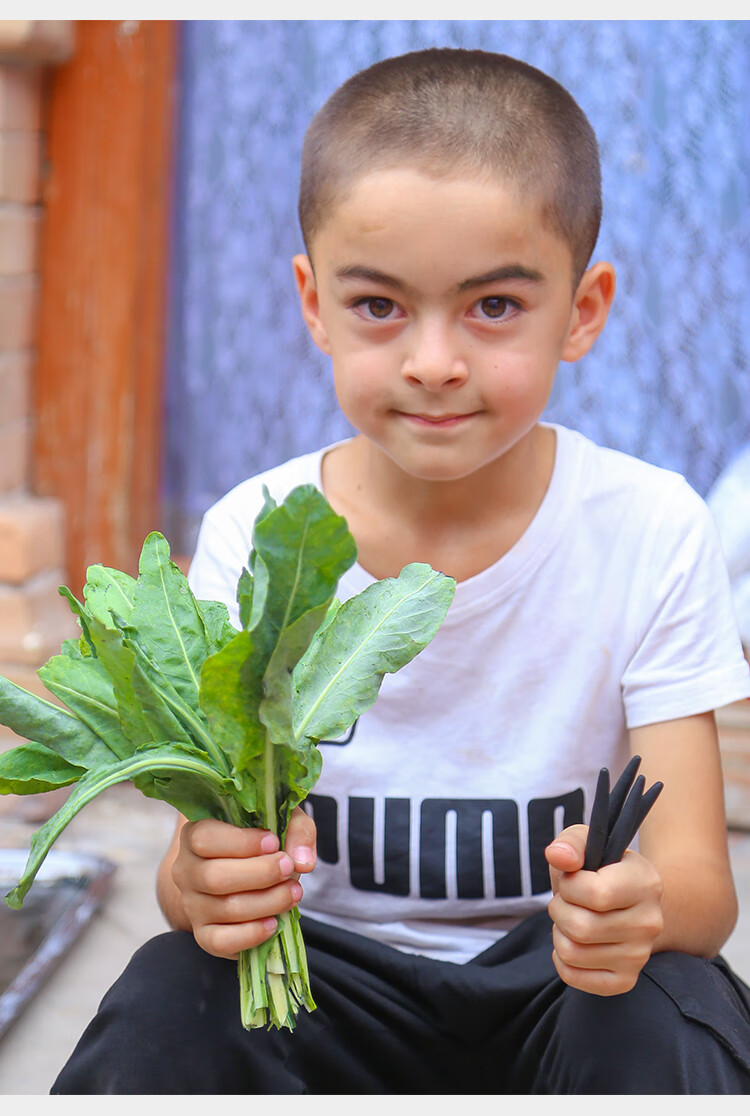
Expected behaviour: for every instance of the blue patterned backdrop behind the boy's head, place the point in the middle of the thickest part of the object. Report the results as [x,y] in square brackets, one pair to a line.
[670,102]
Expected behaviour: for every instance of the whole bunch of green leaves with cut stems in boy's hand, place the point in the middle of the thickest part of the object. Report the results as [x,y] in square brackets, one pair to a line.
[162,690]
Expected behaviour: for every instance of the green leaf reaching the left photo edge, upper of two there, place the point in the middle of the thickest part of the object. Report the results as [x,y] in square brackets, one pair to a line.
[40,720]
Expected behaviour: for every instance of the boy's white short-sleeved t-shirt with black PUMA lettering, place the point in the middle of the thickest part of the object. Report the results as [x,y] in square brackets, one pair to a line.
[613,611]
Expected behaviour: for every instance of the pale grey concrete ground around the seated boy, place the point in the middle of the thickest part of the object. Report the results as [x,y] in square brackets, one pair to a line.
[133,832]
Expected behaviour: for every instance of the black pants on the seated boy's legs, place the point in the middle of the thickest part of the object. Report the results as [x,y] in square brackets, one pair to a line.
[389,1023]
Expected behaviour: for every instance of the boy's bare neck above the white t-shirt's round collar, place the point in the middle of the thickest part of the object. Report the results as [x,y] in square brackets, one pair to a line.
[460,527]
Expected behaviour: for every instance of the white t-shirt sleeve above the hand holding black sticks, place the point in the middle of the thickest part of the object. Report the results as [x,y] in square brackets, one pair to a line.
[688,658]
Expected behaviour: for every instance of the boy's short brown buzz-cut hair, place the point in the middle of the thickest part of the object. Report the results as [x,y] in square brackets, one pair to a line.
[449,111]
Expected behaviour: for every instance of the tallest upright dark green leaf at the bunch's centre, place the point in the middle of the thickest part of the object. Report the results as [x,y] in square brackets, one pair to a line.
[301,550]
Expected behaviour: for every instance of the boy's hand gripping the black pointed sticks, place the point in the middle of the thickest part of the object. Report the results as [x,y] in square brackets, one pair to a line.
[607,922]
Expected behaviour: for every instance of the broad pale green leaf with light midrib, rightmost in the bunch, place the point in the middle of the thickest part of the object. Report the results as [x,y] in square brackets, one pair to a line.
[373,634]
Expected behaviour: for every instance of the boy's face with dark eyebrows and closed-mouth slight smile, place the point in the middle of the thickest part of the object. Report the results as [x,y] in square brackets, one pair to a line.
[446,306]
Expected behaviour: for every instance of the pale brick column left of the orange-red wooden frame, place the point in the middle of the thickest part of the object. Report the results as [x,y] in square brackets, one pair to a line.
[34,620]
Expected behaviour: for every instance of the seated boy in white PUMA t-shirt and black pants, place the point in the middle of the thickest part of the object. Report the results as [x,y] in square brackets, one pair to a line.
[450,204]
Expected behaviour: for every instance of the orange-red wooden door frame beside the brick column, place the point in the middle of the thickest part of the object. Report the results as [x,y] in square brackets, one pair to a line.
[104,288]
